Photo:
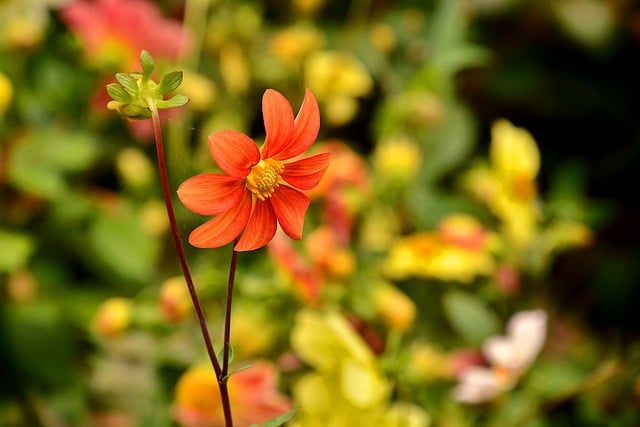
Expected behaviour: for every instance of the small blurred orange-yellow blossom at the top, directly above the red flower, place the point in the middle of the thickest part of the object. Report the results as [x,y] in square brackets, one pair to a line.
[293,43]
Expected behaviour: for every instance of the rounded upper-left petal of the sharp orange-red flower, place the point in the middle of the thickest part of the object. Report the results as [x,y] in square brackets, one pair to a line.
[234,152]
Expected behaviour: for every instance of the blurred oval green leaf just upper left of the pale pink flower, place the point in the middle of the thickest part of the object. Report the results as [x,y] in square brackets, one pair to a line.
[472,319]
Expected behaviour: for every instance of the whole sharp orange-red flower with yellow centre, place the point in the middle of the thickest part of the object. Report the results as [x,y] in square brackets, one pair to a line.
[261,186]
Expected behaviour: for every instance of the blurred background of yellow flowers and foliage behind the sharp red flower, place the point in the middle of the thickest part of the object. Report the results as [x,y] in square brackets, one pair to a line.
[484,164]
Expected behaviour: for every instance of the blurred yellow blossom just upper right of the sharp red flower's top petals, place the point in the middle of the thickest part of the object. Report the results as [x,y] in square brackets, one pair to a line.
[338,79]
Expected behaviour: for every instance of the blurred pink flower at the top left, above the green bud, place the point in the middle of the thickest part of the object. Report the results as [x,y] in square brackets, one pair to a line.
[114,32]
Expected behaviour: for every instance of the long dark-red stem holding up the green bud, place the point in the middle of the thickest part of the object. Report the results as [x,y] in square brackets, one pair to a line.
[162,168]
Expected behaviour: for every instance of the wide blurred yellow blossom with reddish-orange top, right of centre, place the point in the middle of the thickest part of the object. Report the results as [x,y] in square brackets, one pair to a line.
[459,250]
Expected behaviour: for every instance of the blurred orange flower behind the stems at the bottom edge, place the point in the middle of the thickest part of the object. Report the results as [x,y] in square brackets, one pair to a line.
[253,393]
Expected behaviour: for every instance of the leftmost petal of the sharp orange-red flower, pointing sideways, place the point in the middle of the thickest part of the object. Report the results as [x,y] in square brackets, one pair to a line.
[210,194]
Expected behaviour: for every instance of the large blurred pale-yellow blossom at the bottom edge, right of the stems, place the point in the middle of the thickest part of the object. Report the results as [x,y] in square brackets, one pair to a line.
[347,386]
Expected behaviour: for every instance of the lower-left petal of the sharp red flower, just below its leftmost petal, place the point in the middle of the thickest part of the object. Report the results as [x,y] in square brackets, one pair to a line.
[223,228]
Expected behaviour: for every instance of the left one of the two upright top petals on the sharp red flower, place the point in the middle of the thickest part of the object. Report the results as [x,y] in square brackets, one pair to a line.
[278,123]
